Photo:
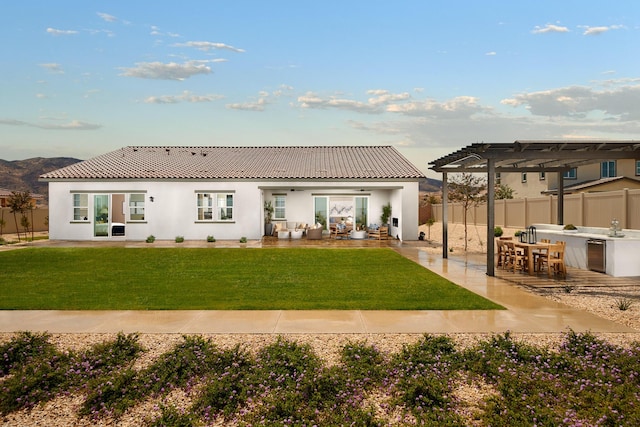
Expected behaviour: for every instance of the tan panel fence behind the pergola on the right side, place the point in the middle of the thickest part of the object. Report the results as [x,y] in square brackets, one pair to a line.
[582,209]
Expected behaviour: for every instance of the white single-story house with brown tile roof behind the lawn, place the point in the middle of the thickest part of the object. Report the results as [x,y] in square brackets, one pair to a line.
[195,192]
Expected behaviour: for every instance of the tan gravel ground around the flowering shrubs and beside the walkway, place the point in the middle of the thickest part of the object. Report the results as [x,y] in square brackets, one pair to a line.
[63,409]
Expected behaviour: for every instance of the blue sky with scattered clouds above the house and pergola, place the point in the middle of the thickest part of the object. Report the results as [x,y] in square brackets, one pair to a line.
[81,78]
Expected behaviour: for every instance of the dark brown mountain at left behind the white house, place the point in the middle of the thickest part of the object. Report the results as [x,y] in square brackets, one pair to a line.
[22,175]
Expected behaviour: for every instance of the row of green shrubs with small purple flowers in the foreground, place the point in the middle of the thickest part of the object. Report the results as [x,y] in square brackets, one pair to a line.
[586,381]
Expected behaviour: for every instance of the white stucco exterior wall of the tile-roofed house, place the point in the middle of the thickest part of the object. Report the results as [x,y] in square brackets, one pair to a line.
[173,211]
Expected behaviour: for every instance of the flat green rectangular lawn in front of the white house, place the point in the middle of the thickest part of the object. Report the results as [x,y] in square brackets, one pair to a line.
[224,279]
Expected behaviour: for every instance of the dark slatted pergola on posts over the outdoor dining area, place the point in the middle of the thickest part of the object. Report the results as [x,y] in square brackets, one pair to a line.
[524,156]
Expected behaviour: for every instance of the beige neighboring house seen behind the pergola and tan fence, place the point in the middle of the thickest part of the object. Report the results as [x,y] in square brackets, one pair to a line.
[608,175]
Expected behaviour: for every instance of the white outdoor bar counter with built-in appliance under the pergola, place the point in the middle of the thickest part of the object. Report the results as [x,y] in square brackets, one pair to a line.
[621,253]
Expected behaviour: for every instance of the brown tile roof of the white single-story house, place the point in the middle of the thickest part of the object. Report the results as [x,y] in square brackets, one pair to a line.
[169,162]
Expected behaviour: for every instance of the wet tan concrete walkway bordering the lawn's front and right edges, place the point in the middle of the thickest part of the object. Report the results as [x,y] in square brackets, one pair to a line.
[525,312]
